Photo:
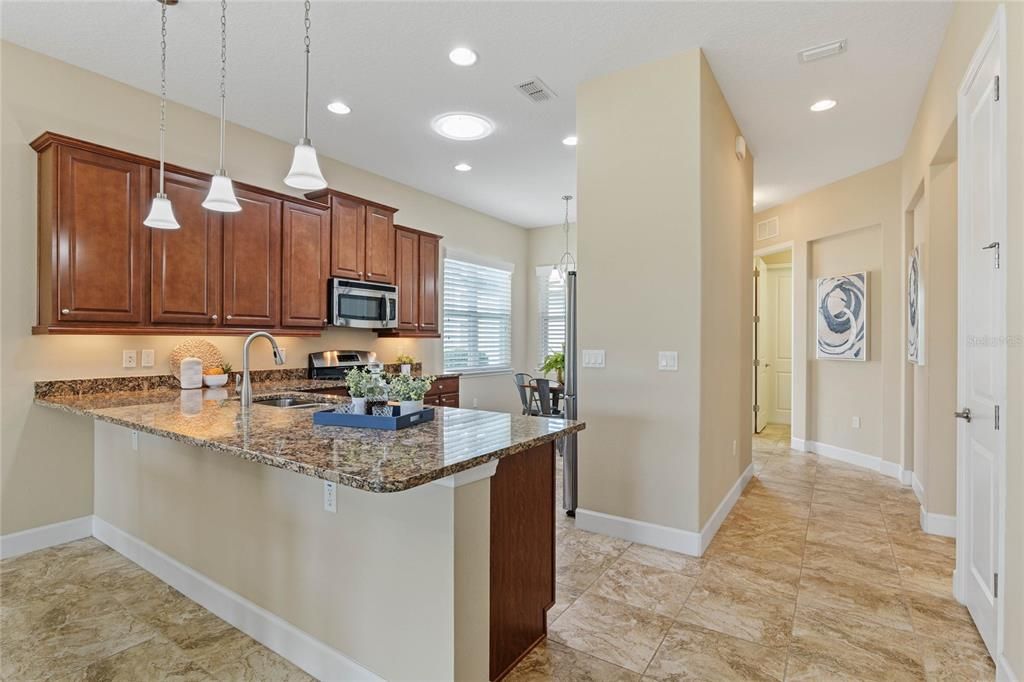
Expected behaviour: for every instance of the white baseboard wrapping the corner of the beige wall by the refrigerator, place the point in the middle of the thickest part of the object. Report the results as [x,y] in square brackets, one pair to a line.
[676,540]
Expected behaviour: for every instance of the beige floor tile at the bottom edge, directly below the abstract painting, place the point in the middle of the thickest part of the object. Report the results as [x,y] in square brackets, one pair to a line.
[829,647]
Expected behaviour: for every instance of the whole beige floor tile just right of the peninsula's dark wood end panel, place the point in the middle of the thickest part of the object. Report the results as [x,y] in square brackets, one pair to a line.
[612,631]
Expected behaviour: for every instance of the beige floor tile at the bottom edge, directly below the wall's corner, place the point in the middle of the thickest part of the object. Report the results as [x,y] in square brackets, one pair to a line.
[690,653]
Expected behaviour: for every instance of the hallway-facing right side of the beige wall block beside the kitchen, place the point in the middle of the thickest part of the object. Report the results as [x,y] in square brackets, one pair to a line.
[727,299]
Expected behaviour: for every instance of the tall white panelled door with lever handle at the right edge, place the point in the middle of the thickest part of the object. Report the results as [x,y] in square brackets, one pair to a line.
[983,359]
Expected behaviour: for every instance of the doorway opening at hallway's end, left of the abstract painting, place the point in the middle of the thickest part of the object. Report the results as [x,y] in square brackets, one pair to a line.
[773,339]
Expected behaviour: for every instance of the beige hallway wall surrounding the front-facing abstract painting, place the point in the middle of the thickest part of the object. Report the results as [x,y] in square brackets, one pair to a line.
[867,207]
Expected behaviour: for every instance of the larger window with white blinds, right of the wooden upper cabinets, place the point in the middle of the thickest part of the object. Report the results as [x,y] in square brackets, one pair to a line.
[478,315]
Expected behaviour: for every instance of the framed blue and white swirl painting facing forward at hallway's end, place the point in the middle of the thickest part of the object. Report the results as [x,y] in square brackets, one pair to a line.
[843,318]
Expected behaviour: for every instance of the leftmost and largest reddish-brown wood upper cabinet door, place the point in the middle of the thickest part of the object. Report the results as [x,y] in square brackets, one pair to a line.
[101,241]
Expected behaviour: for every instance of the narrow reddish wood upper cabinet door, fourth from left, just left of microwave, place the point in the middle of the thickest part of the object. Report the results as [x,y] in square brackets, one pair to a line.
[306,266]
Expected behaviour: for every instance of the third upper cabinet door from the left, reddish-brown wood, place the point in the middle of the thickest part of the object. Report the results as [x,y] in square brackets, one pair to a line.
[252,263]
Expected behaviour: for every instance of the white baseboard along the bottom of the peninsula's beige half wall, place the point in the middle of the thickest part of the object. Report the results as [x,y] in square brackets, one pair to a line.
[272,631]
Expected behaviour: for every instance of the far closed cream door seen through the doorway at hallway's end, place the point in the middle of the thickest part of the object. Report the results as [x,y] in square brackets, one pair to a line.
[779,334]
